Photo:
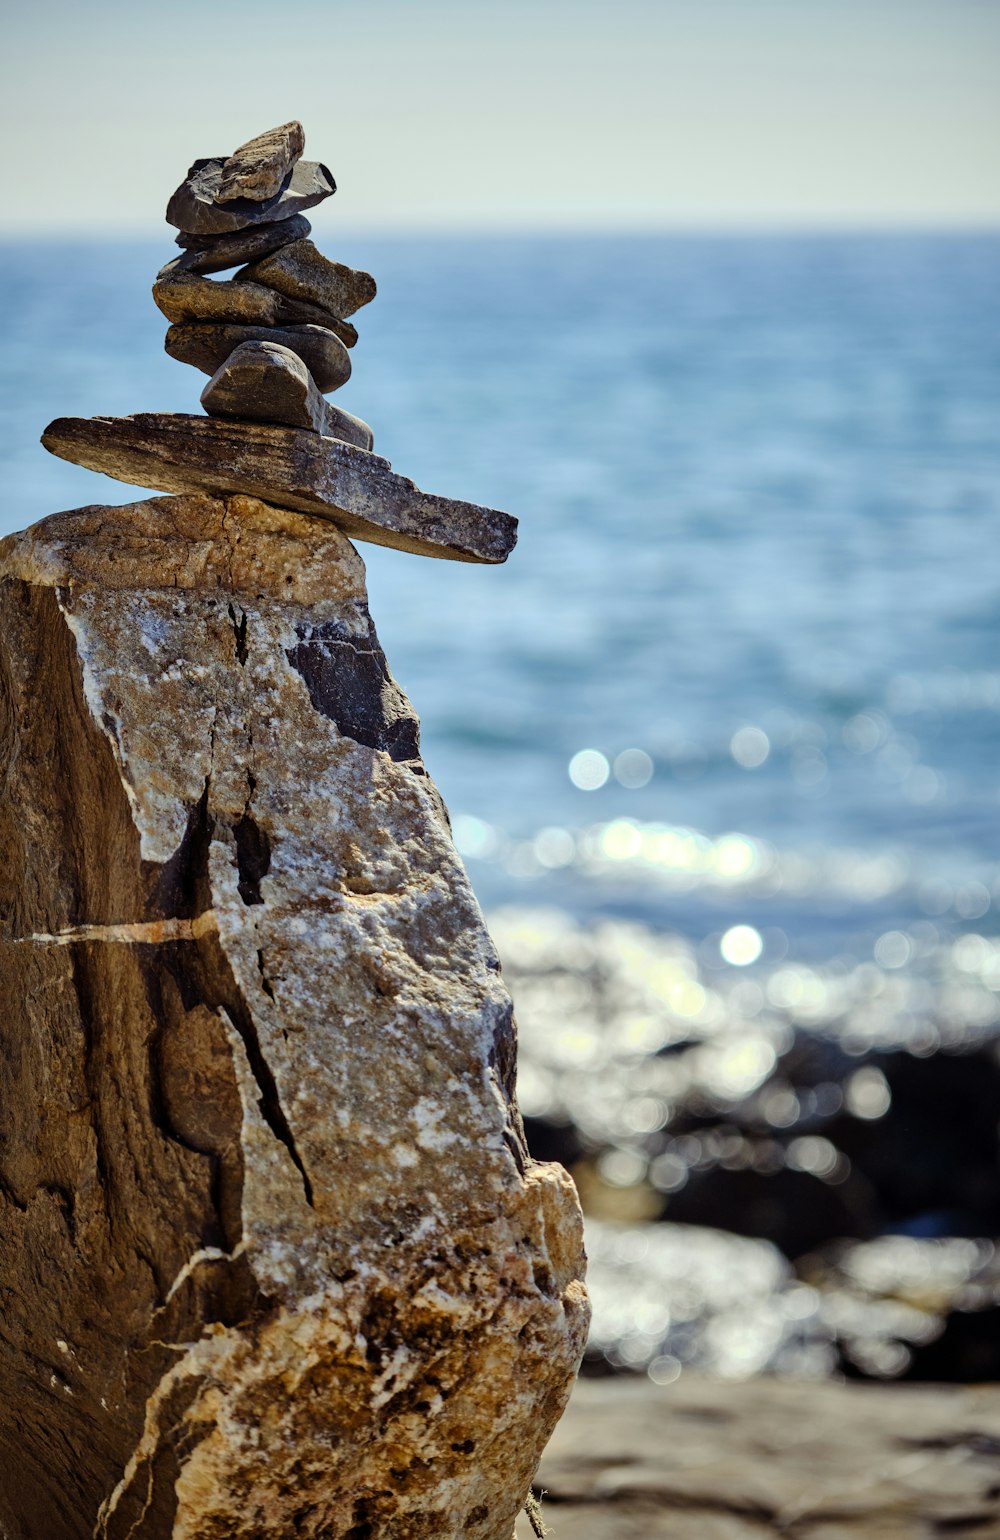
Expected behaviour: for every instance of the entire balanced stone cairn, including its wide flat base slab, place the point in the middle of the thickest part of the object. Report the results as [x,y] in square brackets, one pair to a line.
[275,340]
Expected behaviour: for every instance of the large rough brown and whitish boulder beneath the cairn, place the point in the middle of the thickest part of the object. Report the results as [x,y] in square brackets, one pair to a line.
[273,1259]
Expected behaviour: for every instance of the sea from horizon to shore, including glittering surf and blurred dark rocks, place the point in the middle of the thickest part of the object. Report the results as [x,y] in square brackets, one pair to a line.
[722,740]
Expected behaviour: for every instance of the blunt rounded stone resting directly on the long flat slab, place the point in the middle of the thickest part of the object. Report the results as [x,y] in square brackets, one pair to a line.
[266,383]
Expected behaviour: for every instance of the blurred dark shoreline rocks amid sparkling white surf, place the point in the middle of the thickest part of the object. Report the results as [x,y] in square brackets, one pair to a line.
[830,1137]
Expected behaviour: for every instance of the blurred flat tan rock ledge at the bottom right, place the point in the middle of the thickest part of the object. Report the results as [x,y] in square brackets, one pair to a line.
[773,1461]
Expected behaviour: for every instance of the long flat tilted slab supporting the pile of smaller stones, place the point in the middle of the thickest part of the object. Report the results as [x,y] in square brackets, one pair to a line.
[289,467]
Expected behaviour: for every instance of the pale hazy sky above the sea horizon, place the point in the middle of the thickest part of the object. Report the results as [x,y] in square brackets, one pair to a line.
[518,115]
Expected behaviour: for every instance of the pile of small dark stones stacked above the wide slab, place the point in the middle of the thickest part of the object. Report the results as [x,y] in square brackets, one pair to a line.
[275,338]
